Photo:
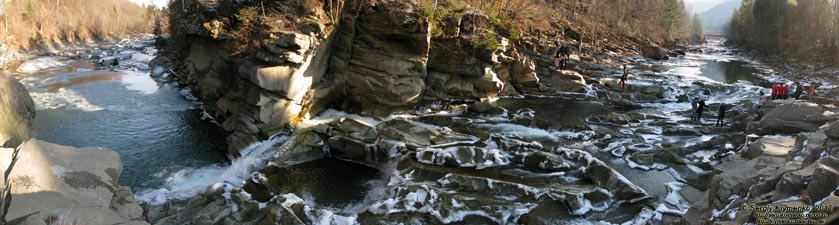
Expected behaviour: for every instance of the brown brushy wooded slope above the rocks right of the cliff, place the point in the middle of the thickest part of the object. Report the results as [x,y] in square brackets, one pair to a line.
[592,24]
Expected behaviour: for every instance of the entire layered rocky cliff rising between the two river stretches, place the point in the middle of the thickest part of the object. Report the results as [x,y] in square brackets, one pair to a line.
[375,57]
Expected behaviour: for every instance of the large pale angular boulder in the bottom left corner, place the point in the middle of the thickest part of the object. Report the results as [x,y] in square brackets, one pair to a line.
[67,185]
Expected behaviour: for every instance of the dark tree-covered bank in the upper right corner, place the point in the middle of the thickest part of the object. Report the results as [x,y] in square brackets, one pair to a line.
[803,29]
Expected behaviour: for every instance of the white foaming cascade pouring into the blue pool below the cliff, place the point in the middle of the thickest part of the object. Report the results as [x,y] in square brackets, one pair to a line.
[190,182]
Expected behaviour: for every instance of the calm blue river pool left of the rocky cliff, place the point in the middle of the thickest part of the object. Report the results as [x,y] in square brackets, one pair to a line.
[154,128]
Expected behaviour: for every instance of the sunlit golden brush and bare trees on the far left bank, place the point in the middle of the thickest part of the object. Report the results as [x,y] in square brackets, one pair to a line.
[29,24]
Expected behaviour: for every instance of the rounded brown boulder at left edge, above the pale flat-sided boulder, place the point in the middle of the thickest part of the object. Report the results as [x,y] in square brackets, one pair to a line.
[17,110]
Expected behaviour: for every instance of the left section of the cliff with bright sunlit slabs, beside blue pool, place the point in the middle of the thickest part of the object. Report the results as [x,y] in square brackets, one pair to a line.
[258,84]
